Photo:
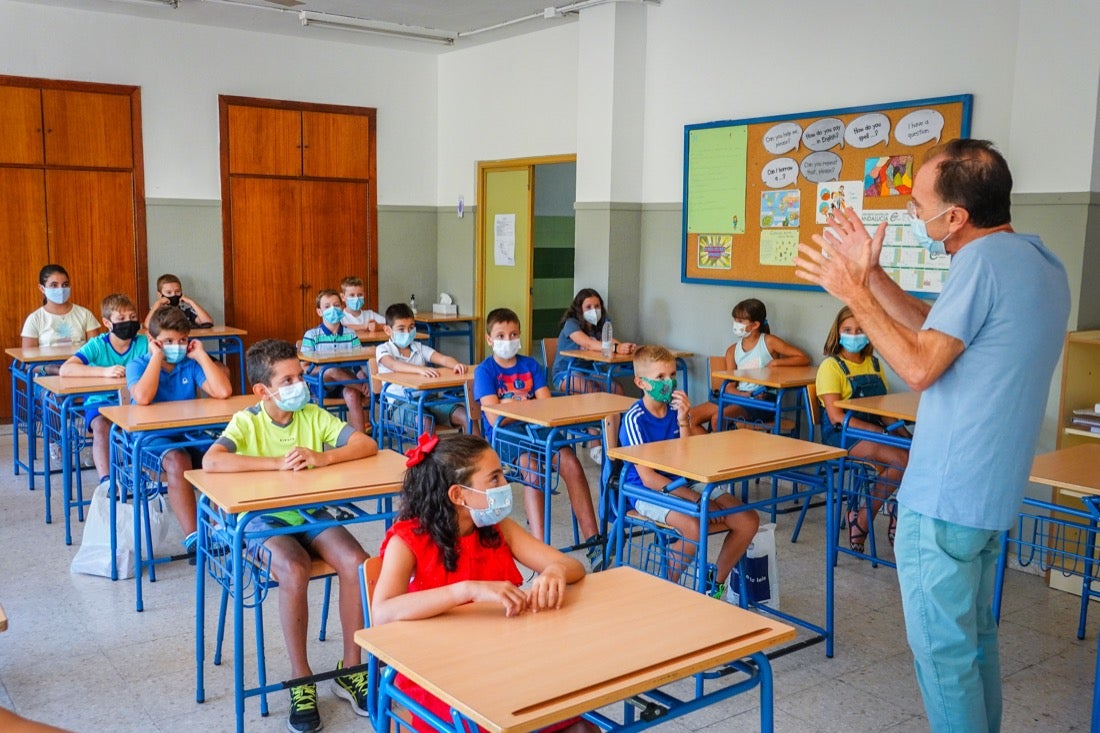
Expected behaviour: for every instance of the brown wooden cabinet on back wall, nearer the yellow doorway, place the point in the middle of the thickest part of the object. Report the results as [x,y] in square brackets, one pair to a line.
[300,211]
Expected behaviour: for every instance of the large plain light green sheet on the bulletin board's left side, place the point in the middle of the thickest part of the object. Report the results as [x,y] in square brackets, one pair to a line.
[718,162]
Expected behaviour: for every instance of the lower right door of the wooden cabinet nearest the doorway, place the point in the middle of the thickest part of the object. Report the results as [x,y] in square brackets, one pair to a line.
[335,235]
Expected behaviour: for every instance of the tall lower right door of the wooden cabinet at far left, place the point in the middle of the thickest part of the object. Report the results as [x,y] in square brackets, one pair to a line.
[91,220]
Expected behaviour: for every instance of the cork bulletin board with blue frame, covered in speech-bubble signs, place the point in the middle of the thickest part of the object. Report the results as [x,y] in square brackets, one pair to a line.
[755,189]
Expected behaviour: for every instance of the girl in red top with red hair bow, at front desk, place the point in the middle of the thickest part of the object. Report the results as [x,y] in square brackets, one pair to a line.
[454,544]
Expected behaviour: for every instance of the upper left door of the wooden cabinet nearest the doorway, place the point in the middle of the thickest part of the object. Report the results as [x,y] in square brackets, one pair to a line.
[265,141]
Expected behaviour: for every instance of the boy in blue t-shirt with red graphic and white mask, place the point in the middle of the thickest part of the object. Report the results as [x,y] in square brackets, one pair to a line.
[509,376]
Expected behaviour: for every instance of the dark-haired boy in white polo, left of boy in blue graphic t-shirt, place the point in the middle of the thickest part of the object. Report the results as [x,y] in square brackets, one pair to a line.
[404,354]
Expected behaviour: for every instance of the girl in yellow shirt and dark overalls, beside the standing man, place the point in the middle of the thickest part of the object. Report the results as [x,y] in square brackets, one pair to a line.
[853,370]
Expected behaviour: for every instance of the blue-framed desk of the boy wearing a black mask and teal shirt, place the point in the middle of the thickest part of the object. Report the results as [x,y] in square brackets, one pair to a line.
[63,400]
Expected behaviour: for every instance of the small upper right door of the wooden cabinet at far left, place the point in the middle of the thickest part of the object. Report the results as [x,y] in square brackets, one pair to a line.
[89,129]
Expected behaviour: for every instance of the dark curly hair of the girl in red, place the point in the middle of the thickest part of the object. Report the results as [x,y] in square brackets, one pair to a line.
[425,495]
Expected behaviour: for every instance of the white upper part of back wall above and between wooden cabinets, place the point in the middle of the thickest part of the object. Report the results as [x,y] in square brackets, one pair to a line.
[182,69]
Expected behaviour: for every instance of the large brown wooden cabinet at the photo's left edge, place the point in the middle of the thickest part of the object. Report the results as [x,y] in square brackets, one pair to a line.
[72,192]
